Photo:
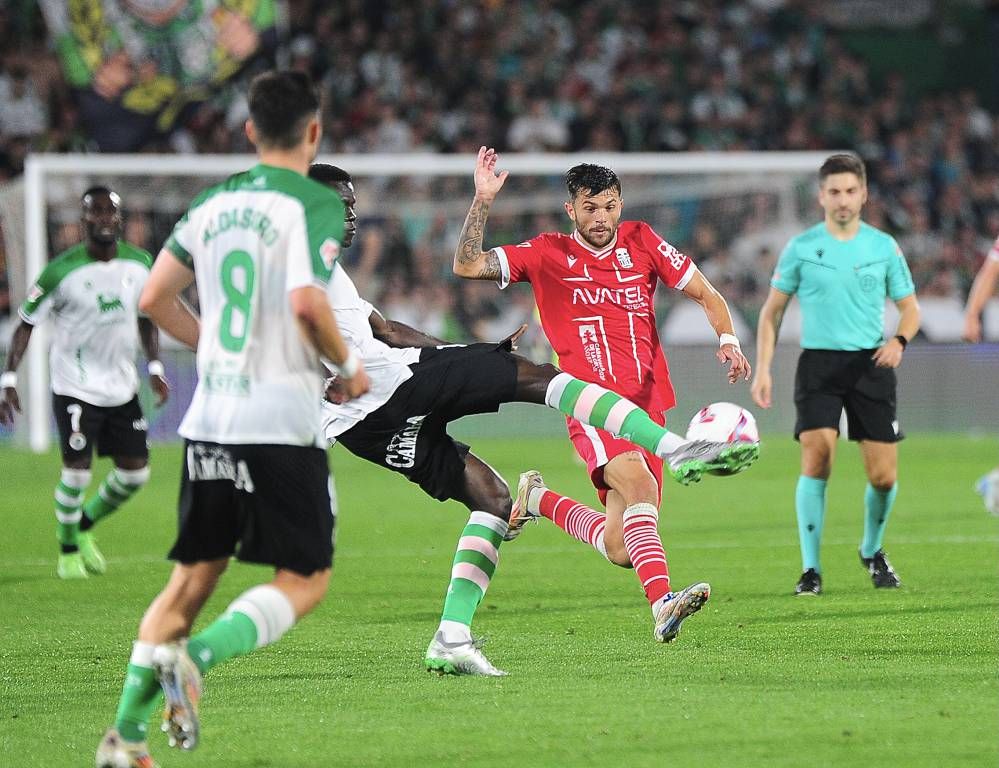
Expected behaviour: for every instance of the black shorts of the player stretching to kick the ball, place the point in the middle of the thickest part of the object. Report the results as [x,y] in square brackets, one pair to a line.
[408,434]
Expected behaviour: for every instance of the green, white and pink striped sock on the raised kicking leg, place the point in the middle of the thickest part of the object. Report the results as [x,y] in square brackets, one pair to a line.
[606,410]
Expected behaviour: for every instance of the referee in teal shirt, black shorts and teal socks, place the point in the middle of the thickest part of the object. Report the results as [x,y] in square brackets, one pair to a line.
[842,270]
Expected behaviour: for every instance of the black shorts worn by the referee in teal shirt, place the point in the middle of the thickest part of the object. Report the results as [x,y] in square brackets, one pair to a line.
[830,381]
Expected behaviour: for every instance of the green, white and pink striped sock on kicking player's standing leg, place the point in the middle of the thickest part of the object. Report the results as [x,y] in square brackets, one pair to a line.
[472,569]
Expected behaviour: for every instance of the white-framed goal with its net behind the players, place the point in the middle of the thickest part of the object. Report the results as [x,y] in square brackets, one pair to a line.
[731,212]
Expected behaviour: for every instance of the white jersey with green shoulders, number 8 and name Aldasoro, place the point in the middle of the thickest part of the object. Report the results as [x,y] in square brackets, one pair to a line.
[250,241]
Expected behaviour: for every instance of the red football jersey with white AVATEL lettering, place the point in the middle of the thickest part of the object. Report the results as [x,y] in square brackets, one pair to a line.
[597,306]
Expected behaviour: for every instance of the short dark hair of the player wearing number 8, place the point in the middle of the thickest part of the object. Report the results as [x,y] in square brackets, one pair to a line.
[281,103]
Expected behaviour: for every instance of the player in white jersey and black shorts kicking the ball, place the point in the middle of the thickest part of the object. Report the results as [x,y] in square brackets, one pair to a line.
[418,385]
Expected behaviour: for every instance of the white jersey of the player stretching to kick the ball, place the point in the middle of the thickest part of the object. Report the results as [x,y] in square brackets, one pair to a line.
[387,367]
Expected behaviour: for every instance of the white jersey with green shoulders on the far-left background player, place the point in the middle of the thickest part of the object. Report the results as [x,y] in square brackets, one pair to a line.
[93,306]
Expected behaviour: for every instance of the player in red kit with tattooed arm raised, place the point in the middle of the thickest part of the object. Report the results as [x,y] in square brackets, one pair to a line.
[594,290]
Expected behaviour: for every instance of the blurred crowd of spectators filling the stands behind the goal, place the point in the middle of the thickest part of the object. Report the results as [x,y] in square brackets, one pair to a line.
[405,76]
